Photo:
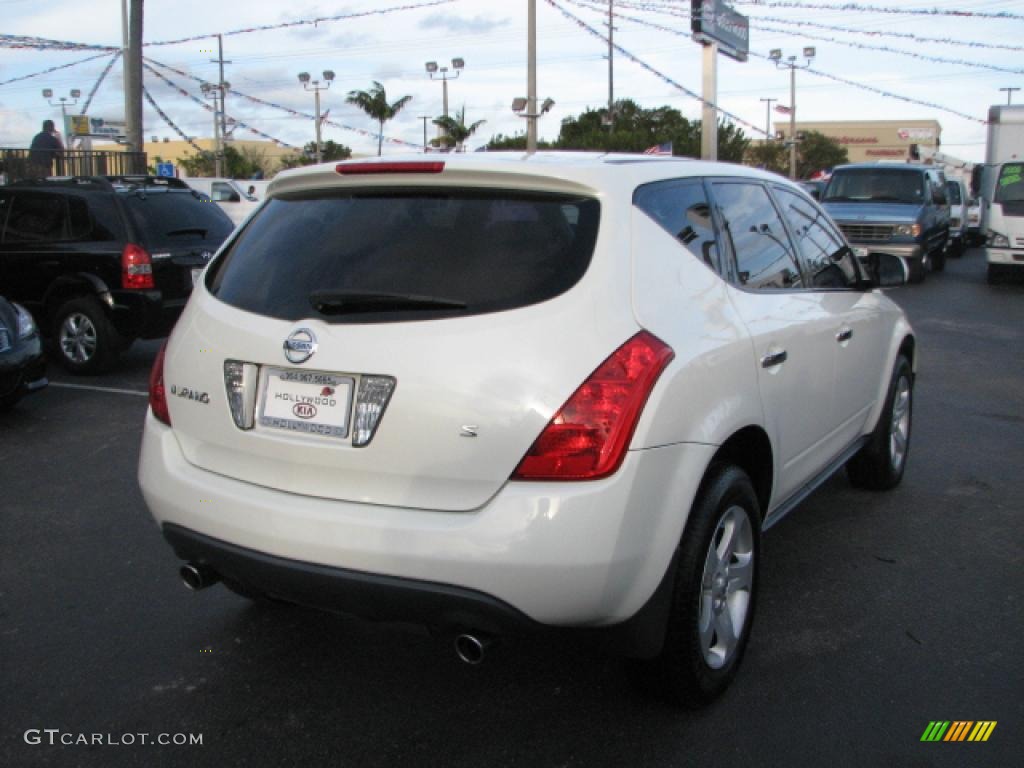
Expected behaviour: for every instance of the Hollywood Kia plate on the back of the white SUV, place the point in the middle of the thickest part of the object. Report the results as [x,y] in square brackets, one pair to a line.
[307,402]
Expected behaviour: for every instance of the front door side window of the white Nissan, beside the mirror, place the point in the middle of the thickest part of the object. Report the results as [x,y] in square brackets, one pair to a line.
[828,261]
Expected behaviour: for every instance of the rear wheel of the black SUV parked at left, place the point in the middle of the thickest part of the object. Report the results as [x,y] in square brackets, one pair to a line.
[87,340]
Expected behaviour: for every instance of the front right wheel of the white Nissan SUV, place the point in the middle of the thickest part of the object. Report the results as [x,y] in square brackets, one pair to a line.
[880,465]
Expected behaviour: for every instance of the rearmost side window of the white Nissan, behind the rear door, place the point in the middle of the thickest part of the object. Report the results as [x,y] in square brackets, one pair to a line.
[682,209]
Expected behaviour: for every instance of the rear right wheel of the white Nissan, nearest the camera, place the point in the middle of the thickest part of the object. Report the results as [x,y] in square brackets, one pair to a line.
[715,591]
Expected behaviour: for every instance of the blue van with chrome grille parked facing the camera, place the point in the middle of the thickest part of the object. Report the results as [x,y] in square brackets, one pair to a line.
[902,210]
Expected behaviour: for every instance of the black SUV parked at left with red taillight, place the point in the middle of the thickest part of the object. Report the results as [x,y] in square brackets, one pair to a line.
[104,261]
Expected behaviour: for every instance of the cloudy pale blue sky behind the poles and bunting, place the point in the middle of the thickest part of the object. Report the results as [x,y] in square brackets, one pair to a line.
[392,47]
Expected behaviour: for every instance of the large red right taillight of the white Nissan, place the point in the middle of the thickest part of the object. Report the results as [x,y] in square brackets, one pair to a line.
[589,436]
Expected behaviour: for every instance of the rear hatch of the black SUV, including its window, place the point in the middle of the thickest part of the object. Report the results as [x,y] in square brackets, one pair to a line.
[181,230]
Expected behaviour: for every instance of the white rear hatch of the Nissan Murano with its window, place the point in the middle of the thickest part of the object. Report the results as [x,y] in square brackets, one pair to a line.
[401,346]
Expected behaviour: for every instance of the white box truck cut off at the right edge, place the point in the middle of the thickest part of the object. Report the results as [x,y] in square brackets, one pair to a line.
[1003,192]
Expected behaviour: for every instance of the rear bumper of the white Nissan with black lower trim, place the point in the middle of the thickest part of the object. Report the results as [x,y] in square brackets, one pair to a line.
[583,556]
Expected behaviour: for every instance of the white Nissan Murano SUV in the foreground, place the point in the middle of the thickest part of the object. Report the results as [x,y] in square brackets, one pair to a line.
[511,394]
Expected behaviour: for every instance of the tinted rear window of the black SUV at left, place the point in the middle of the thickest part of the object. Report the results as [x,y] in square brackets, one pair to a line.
[169,218]
